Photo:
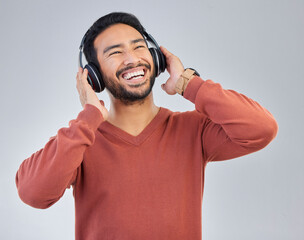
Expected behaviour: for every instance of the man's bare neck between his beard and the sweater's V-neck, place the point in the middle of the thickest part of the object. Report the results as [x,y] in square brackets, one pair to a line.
[132,118]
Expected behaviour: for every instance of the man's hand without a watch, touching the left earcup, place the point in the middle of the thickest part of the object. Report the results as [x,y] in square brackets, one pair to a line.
[87,94]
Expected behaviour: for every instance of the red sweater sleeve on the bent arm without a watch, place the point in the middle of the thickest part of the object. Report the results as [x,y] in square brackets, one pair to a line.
[42,178]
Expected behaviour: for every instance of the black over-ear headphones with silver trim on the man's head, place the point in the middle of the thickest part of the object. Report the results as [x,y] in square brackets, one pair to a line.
[94,75]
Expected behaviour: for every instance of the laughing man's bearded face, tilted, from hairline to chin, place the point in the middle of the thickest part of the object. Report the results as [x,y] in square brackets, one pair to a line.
[126,63]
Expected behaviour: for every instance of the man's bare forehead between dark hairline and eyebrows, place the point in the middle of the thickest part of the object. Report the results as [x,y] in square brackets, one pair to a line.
[116,34]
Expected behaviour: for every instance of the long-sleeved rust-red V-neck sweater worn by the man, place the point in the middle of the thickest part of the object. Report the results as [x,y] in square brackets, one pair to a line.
[148,186]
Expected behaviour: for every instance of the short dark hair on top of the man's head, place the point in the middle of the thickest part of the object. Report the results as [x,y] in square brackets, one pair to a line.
[102,24]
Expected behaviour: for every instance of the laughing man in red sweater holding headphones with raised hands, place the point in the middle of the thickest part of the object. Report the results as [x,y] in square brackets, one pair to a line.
[137,170]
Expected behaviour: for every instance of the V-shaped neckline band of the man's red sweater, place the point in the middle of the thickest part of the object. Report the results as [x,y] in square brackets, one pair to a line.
[143,135]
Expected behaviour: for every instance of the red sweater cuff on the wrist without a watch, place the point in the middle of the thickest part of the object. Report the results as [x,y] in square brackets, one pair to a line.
[91,115]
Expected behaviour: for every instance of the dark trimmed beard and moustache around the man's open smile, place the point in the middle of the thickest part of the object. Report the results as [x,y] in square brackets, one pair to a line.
[120,92]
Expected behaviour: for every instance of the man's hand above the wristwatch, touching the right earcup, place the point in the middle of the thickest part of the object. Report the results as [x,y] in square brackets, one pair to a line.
[175,68]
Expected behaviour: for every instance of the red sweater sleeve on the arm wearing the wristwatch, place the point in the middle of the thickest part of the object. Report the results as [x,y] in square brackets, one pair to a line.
[235,124]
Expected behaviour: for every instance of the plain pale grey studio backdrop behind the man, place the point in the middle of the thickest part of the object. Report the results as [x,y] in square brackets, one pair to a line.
[254,47]
